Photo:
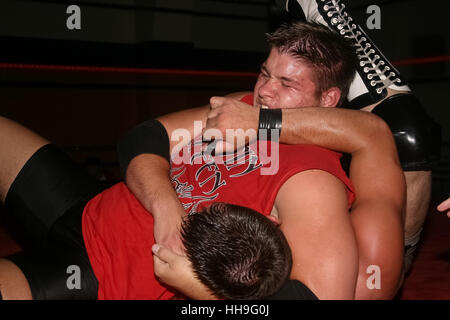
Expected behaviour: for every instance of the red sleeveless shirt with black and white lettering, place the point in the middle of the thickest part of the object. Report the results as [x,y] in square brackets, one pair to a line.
[118,231]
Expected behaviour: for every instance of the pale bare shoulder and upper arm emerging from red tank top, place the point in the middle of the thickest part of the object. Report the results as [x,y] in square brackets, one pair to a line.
[313,211]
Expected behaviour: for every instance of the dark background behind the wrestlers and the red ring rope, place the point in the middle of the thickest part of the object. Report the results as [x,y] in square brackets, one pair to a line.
[86,111]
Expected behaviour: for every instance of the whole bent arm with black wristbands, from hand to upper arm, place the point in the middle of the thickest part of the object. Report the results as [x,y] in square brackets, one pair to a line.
[377,214]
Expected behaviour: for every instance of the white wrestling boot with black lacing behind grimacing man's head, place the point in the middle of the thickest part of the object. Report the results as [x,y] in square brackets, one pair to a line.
[374,73]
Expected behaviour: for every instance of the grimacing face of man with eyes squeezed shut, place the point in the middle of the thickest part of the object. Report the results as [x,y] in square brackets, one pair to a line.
[285,82]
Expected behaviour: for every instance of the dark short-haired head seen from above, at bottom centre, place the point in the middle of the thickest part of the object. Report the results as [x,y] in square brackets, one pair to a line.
[236,252]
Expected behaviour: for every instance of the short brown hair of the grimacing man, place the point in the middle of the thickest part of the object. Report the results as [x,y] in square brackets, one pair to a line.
[331,56]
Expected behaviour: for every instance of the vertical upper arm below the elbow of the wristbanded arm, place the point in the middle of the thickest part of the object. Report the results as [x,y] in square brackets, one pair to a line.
[377,215]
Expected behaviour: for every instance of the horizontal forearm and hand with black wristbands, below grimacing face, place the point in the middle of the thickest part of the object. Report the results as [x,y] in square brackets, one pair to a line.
[334,128]
